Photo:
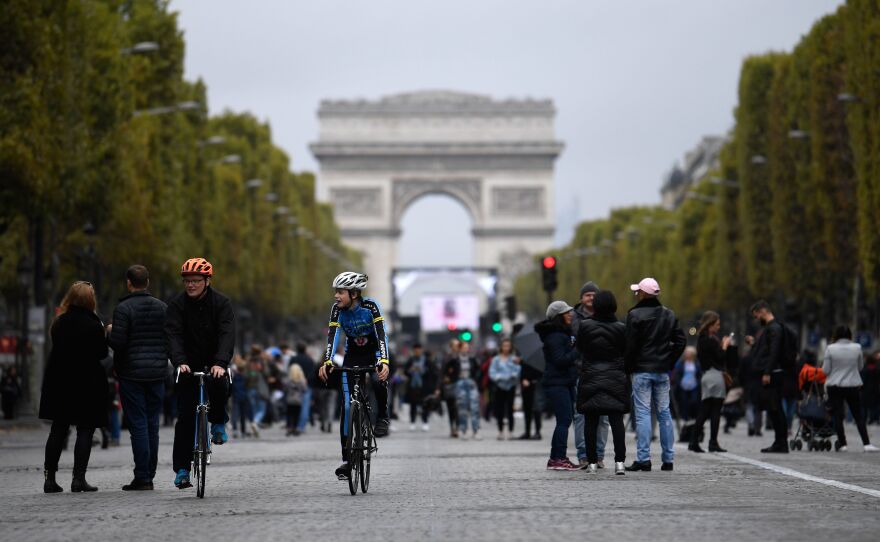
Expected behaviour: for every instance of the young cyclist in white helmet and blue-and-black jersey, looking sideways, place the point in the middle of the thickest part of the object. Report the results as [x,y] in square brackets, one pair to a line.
[365,345]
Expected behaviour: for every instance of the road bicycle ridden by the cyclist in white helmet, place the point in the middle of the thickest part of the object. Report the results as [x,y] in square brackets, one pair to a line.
[360,443]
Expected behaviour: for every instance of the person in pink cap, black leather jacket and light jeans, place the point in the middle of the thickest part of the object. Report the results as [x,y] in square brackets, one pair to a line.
[654,342]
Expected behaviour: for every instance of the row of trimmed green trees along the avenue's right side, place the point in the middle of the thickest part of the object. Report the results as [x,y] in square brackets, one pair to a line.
[791,214]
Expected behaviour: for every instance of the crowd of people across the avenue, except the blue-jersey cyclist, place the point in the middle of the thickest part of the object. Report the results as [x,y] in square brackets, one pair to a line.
[595,369]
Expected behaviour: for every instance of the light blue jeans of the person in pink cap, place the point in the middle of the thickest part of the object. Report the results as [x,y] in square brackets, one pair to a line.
[652,389]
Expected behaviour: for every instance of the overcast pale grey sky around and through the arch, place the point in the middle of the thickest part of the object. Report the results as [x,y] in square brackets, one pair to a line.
[636,83]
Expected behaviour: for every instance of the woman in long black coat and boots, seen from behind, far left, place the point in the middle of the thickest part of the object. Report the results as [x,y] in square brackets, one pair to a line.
[74,384]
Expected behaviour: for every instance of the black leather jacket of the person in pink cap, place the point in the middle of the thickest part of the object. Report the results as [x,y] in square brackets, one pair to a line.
[654,340]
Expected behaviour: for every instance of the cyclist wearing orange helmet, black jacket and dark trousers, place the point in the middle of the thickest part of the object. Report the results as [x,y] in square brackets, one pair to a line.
[200,327]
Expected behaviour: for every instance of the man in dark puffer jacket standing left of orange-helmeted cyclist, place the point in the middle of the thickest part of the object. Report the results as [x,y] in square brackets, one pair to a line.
[140,359]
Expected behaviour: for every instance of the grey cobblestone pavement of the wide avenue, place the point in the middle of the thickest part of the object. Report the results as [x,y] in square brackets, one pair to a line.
[426,486]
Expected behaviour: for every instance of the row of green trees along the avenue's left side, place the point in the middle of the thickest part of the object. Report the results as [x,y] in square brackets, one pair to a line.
[108,158]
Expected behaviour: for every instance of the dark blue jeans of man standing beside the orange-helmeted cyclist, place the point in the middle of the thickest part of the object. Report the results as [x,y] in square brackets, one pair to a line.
[142,403]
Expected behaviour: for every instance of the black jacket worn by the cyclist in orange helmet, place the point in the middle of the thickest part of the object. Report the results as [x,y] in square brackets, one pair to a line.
[201,332]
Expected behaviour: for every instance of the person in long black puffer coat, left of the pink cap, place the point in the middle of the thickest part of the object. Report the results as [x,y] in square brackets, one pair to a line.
[604,388]
